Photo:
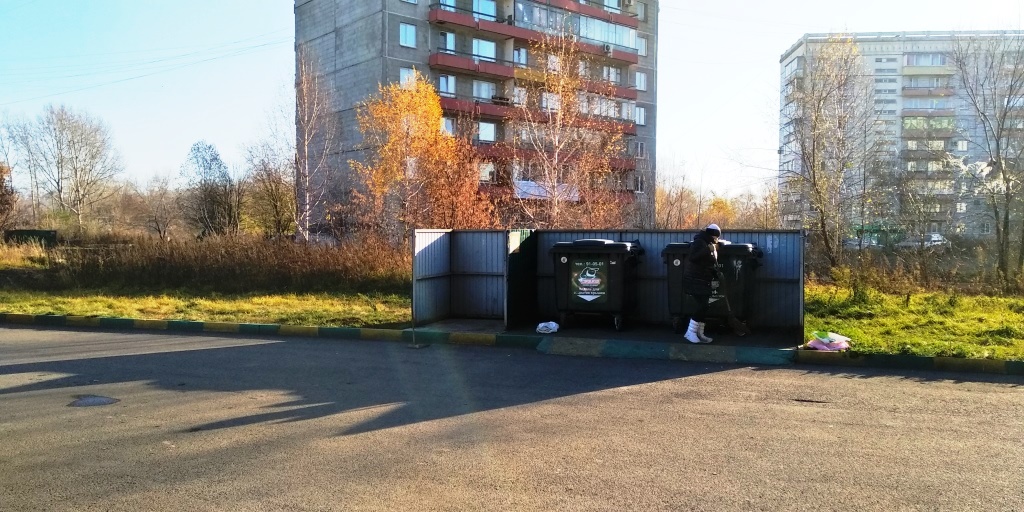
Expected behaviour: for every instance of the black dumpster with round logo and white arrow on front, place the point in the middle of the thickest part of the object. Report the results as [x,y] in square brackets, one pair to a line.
[596,277]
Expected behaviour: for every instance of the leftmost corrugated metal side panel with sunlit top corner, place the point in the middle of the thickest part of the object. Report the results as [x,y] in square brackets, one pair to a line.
[432,276]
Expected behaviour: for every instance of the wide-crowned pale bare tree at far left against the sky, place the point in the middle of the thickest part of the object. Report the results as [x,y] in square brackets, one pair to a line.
[71,158]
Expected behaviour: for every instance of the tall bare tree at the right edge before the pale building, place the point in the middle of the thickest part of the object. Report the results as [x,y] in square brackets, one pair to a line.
[991,73]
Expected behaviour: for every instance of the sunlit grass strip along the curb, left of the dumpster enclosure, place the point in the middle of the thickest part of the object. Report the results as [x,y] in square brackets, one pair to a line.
[381,311]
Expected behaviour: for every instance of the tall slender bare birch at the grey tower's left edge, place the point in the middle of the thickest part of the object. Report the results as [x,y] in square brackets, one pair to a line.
[317,143]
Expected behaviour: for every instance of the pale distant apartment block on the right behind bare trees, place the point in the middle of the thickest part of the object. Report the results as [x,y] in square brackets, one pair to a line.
[922,117]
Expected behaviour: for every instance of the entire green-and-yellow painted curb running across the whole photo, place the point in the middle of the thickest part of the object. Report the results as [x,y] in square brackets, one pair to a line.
[547,345]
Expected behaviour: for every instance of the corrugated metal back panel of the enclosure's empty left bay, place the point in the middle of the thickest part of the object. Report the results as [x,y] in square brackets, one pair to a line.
[479,261]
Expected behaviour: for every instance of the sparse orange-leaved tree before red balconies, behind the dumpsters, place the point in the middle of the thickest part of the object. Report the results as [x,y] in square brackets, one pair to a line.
[566,138]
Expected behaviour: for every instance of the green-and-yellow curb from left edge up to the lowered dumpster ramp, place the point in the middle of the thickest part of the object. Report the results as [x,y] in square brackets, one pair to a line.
[344,333]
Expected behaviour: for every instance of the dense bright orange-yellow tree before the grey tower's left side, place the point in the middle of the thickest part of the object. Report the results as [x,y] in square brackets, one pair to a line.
[415,176]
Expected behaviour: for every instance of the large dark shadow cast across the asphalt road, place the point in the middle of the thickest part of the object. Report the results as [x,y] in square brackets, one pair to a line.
[330,377]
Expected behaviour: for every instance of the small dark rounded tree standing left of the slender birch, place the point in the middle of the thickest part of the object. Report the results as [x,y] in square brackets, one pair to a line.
[212,202]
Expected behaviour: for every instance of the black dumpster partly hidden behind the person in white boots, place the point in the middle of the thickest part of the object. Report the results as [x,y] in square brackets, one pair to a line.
[736,263]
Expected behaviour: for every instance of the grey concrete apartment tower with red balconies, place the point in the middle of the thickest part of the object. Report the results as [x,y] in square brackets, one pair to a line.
[474,51]
